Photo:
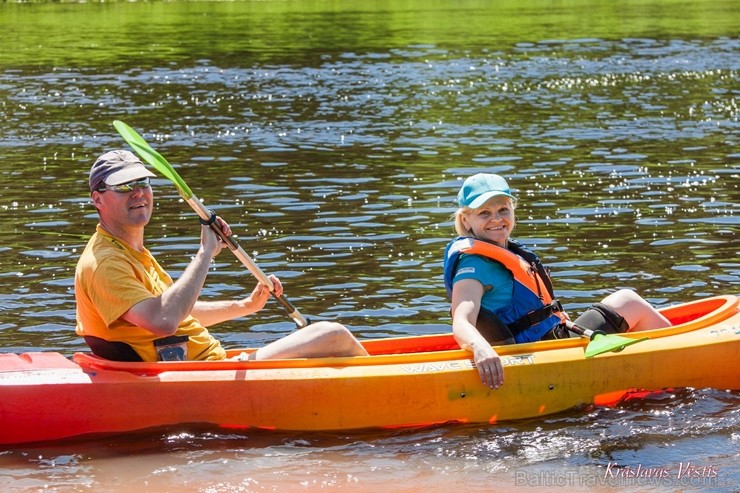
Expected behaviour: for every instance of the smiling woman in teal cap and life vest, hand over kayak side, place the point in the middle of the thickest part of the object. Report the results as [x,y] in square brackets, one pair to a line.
[500,291]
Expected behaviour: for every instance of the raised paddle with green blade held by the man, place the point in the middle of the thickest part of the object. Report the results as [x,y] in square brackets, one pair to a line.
[207,217]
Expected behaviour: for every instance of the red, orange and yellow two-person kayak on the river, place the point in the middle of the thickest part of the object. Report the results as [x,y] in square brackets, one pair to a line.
[405,382]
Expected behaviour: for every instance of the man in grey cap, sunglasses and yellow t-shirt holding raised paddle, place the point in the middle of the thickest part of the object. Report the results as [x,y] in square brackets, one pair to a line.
[128,307]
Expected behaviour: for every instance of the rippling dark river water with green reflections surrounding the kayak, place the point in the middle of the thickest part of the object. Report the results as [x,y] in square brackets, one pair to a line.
[333,136]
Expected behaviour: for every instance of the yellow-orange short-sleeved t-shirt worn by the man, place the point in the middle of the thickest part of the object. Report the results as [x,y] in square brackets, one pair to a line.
[110,278]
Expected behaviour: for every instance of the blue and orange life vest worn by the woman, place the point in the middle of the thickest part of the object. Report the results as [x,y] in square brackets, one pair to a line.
[533,311]
